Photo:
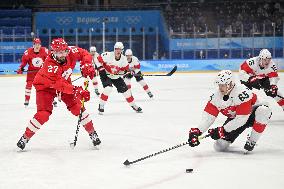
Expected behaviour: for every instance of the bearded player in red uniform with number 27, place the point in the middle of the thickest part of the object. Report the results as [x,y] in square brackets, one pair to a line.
[53,78]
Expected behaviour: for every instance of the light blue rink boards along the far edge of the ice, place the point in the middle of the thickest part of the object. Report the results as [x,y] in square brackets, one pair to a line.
[167,65]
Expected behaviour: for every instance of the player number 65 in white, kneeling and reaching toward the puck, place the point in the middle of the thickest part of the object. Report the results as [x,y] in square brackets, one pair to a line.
[242,109]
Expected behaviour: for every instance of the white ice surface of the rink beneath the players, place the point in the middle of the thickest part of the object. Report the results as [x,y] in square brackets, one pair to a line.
[49,162]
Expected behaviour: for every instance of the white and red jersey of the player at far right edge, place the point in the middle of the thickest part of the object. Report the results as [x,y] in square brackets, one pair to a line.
[251,67]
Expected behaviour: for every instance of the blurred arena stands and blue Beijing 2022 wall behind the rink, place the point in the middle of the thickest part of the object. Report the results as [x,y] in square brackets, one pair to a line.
[156,29]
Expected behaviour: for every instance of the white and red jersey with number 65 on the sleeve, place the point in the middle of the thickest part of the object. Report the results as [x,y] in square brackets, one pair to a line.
[238,107]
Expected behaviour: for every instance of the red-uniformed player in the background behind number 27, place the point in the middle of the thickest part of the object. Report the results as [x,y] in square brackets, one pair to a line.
[34,57]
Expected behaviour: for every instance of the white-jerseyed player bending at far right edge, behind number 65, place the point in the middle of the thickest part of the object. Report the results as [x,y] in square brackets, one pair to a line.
[261,73]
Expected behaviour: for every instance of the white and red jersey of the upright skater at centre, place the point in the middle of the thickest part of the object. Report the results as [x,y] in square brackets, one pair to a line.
[108,61]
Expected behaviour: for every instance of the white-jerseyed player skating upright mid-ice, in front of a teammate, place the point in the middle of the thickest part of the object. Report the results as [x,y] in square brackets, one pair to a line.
[112,66]
